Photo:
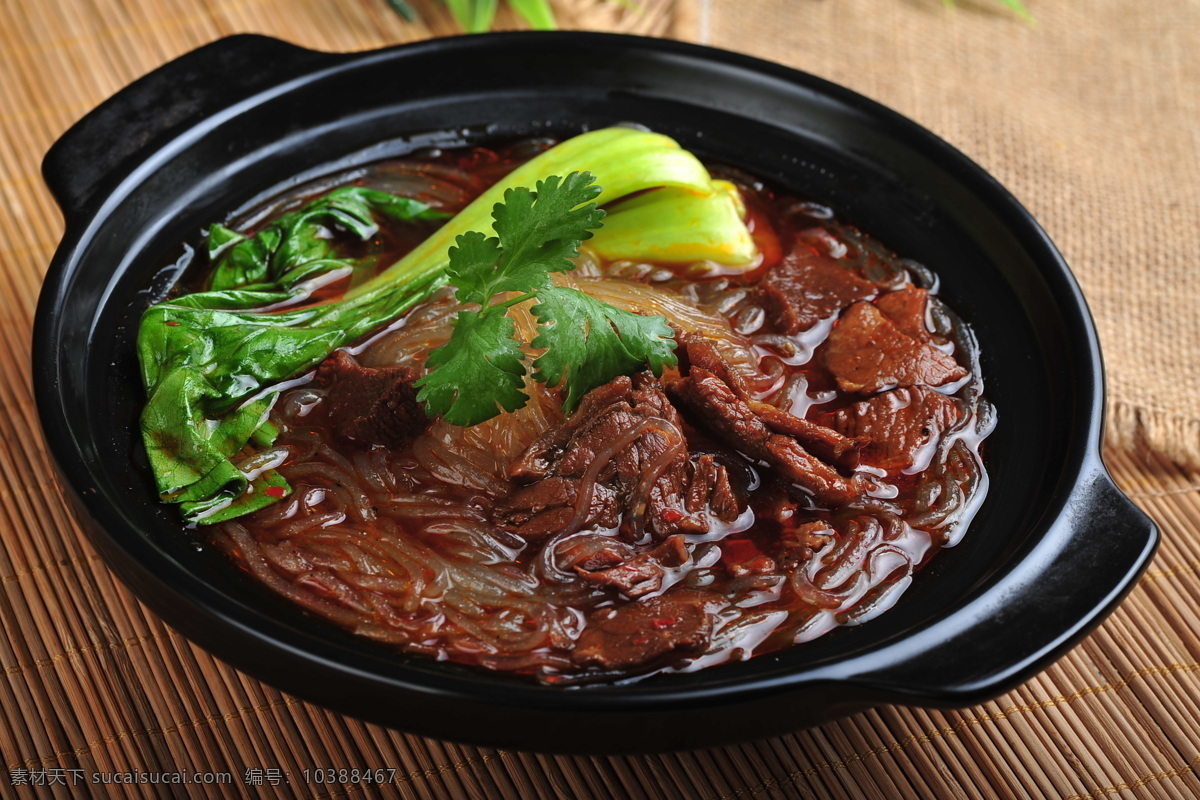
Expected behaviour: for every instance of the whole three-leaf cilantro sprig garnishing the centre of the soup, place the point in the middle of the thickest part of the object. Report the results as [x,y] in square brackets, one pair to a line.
[587,342]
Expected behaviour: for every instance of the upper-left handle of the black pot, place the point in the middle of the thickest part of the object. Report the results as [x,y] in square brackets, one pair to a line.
[121,134]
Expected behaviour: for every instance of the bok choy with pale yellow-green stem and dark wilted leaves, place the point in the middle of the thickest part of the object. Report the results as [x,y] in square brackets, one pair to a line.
[212,362]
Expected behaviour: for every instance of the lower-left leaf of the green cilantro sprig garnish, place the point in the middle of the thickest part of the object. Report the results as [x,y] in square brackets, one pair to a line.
[477,374]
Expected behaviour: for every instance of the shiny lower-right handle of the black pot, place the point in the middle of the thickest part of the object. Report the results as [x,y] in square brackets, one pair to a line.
[1030,618]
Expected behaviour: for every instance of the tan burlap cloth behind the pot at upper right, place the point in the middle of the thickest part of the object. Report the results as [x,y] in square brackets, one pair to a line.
[1091,118]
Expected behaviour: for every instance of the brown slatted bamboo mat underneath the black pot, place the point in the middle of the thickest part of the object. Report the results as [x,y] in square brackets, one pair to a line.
[94,684]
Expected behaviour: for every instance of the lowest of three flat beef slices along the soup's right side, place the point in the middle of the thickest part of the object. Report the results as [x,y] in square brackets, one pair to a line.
[899,425]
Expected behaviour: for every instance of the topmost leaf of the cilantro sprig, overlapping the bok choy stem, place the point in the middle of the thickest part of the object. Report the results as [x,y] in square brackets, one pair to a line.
[537,233]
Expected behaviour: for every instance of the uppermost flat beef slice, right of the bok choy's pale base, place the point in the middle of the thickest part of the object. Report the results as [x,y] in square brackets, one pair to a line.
[808,287]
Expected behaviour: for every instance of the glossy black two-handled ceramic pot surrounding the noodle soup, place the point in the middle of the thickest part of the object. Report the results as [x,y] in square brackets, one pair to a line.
[1053,550]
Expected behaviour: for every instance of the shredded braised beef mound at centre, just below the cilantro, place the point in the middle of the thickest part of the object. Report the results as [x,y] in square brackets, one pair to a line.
[622,432]
